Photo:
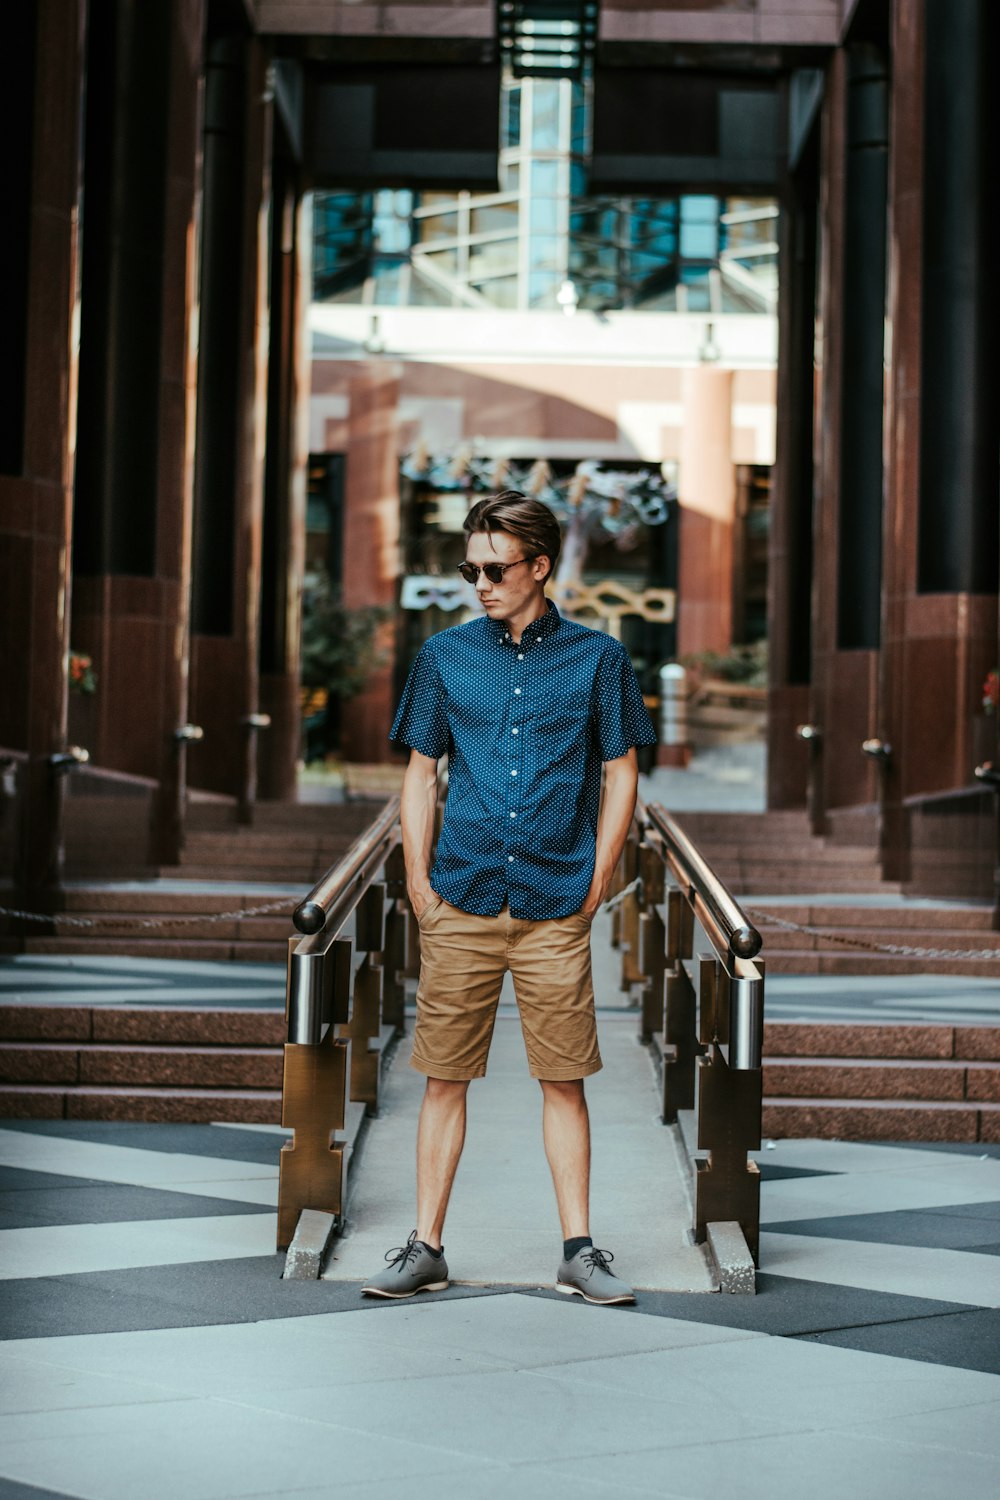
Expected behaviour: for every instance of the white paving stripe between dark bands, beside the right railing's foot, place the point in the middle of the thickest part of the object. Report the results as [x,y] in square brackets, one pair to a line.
[950,1276]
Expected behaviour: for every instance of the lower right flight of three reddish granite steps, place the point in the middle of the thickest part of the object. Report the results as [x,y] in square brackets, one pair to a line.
[903,1082]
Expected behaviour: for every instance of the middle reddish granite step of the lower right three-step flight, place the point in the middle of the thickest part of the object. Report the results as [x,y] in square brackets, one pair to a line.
[876,1079]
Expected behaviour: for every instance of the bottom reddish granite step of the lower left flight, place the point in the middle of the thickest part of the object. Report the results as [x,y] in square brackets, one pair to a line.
[166,1106]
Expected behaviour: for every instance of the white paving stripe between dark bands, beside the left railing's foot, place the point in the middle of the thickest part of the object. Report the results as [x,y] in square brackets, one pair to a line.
[61,1250]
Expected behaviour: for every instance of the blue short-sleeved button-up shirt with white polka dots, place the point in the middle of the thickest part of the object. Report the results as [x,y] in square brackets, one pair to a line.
[525,728]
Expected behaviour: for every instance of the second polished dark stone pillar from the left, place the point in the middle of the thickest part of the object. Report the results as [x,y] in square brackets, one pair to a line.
[134,463]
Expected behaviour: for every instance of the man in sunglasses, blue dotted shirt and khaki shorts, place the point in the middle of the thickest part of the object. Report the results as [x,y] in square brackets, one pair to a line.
[530,709]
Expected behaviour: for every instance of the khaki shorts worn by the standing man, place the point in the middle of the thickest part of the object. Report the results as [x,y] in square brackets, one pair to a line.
[463,965]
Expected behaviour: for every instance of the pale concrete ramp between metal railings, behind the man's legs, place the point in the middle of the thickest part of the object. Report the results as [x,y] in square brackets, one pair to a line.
[503,1226]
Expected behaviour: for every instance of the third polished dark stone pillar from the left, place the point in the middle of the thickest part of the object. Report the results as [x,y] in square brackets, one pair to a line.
[232,416]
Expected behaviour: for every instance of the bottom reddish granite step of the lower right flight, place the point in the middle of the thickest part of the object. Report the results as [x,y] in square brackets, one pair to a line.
[890,1120]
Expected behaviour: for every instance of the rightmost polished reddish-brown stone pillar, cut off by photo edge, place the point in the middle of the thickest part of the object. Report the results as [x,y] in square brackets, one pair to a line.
[941,608]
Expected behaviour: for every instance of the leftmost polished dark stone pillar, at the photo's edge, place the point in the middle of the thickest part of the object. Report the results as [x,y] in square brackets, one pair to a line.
[37,467]
